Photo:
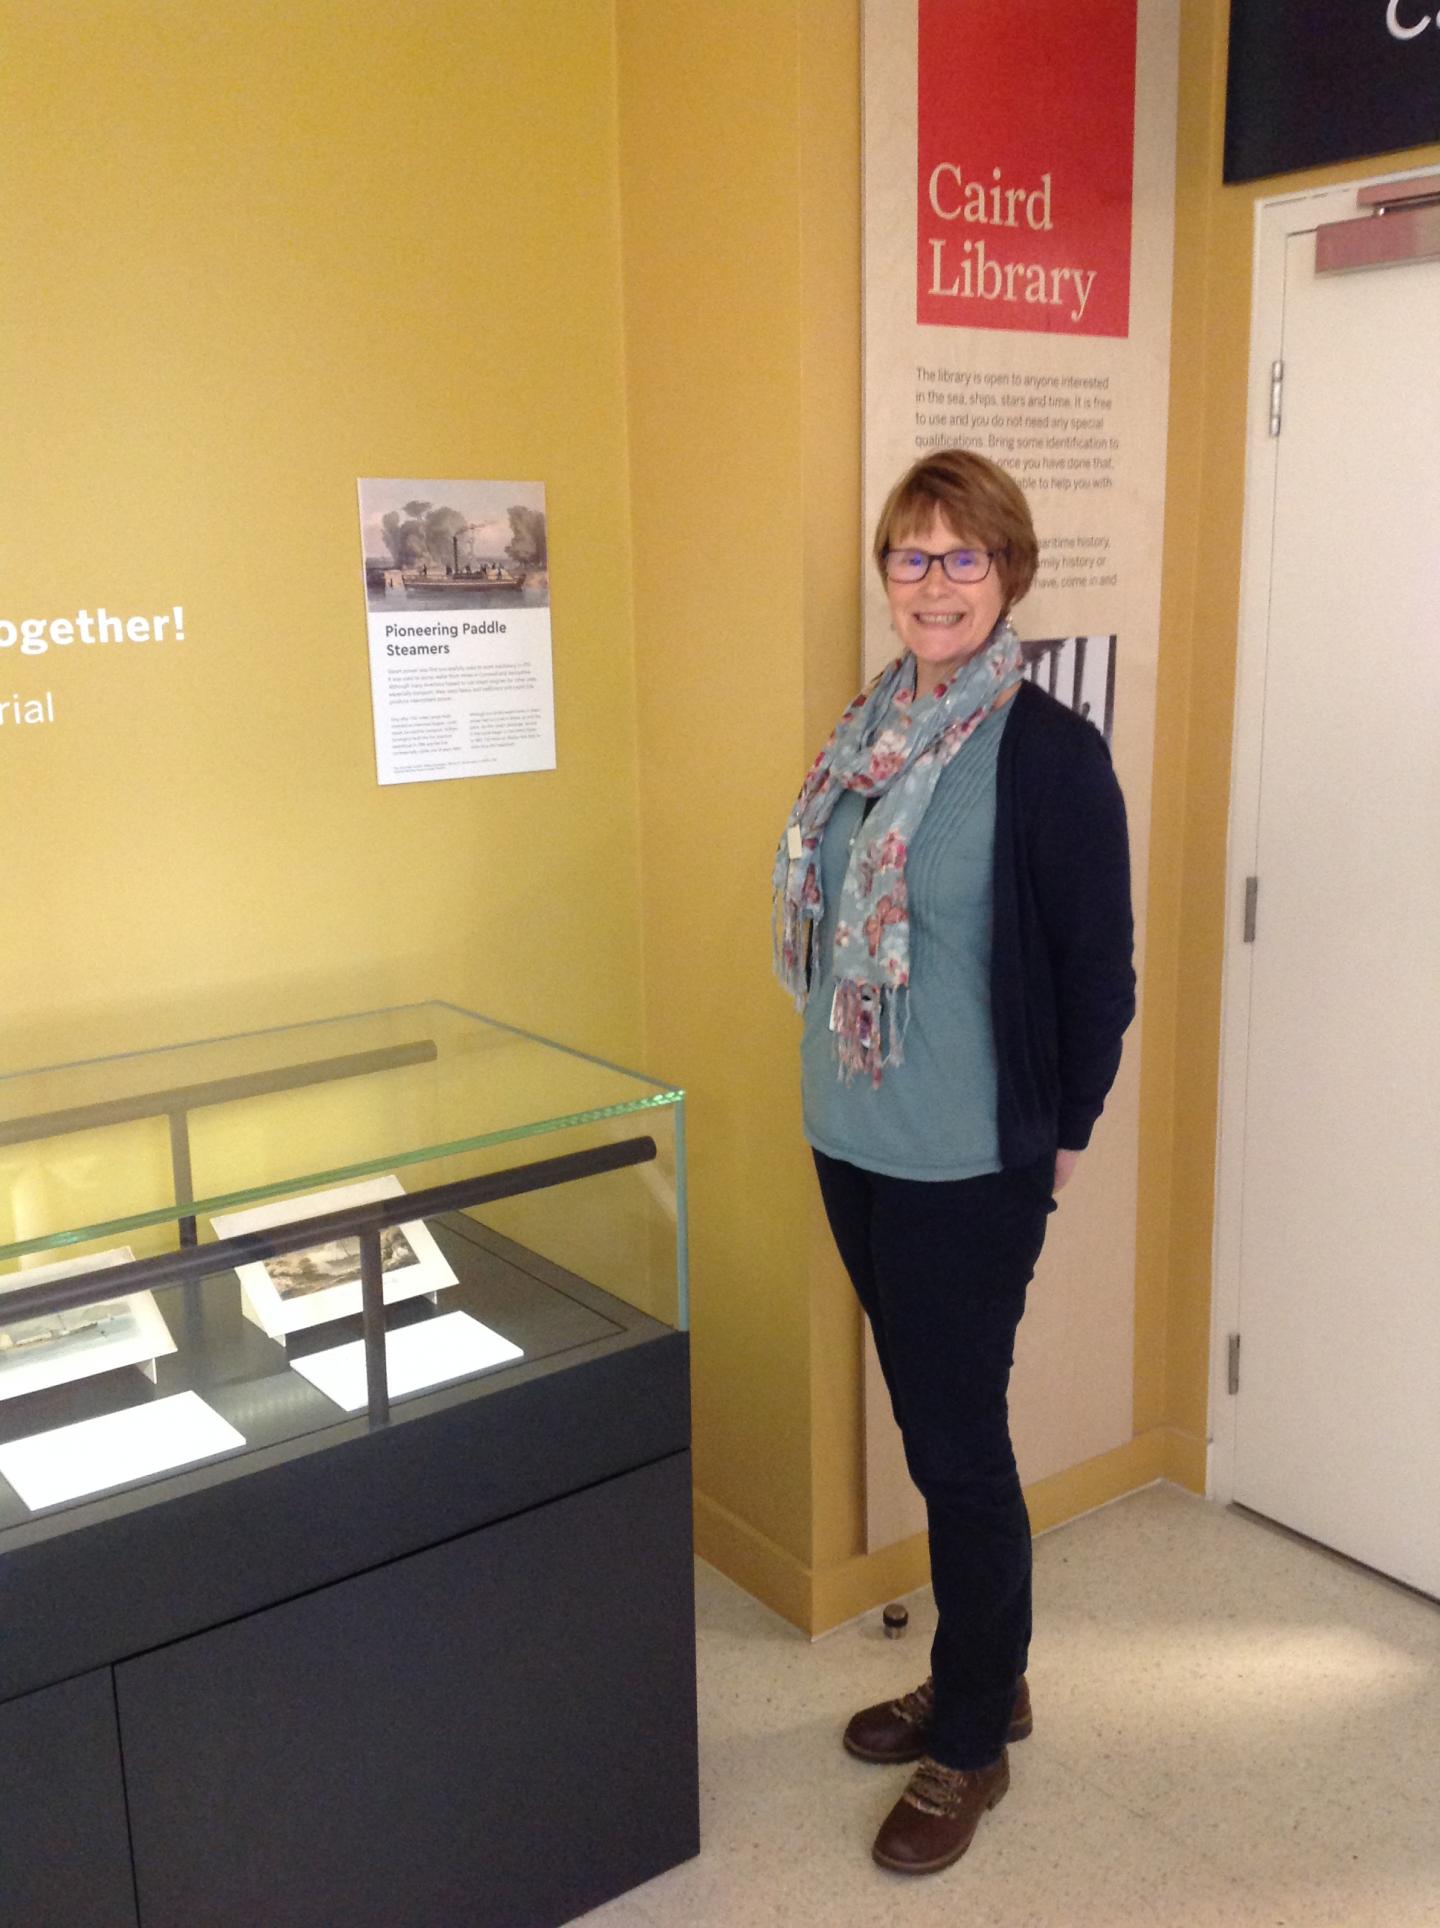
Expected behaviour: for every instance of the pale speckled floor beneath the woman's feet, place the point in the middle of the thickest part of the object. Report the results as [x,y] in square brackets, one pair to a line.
[1231,1728]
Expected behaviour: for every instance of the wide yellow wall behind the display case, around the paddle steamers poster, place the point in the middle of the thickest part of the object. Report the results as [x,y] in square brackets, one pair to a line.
[252,254]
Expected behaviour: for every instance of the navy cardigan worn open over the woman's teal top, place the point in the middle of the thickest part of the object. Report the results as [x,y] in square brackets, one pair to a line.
[1063,986]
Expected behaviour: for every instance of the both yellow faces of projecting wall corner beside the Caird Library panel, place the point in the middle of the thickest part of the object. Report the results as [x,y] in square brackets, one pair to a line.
[739,190]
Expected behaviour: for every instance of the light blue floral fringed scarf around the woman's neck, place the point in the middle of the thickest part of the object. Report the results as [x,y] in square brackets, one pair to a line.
[893,747]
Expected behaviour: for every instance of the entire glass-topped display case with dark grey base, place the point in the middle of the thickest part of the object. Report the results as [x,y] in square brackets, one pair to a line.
[294,1310]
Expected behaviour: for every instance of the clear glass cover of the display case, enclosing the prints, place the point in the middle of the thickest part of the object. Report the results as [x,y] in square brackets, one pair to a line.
[147,1156]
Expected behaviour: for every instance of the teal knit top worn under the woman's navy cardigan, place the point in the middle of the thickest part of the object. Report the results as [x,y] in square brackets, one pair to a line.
[934,1115]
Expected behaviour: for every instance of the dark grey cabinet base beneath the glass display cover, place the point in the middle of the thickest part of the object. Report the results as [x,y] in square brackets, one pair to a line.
[413,1676]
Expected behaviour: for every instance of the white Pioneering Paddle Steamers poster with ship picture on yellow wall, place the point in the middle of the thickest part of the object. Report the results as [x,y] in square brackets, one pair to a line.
[458,614]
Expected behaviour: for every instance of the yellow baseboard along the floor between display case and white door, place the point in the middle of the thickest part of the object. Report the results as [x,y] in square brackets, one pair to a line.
[816,1603]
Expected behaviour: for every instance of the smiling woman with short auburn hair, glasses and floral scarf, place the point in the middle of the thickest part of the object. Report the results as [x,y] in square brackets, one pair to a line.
[953,917]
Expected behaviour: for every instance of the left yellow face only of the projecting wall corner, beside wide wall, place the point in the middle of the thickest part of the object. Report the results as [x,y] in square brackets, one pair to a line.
[708,194]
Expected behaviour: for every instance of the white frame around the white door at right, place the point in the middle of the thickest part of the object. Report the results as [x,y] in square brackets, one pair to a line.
[1277,219]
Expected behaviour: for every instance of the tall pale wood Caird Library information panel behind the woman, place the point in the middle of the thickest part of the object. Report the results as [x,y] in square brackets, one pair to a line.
[1019,225]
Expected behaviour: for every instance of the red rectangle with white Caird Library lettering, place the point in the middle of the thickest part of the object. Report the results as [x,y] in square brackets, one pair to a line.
[1027,173]
